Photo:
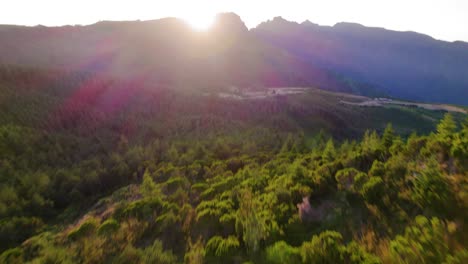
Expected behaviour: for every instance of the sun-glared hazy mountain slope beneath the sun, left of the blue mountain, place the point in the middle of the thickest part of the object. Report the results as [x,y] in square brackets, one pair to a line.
[165,51]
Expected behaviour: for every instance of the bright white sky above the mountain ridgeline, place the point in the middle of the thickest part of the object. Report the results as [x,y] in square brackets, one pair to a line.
[442,19]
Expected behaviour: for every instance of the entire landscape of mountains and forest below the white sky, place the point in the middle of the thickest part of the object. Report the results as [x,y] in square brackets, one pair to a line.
[148,142]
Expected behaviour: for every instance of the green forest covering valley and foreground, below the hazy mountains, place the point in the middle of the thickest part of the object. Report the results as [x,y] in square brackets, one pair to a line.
[102,171]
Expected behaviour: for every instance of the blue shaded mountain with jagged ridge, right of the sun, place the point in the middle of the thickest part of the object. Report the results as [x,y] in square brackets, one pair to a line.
[407,64]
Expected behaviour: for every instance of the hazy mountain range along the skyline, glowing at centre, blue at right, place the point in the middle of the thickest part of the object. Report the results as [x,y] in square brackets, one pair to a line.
[167,52]
